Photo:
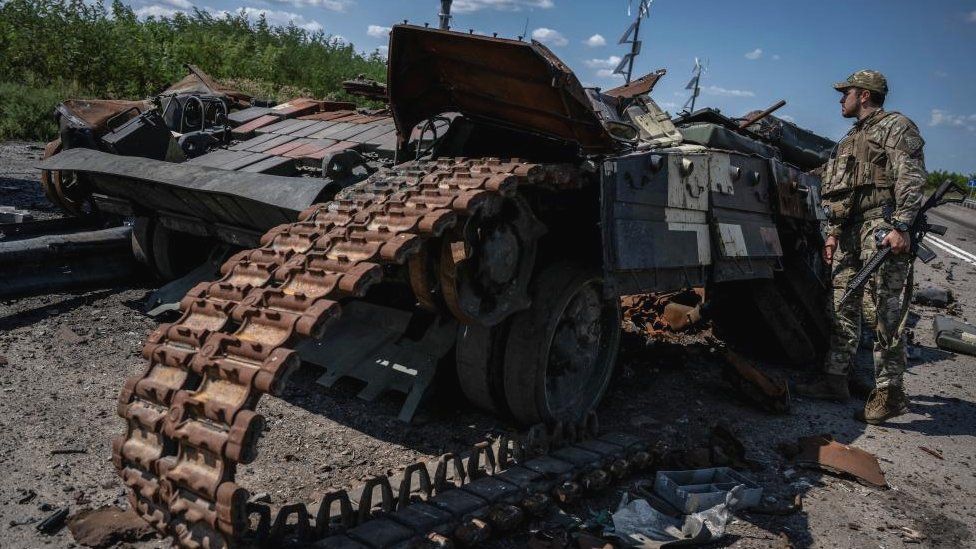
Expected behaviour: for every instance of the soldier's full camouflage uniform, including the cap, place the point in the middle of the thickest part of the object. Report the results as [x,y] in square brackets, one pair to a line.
[877,168]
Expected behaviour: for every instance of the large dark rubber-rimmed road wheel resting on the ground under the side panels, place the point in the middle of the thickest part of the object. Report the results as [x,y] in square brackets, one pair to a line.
[561,352]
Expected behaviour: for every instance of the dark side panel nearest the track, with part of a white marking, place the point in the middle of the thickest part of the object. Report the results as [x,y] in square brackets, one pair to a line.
[655,226]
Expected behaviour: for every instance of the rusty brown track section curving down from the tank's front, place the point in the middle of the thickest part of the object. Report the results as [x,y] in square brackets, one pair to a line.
[190,416]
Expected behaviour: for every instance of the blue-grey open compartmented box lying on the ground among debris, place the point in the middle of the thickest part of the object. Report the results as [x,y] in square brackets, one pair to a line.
[700,489]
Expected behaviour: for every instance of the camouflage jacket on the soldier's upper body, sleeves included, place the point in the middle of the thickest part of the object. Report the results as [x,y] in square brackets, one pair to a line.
[879,162]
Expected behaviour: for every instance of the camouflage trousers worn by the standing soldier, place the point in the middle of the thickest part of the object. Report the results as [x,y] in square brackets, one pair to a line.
[882,305]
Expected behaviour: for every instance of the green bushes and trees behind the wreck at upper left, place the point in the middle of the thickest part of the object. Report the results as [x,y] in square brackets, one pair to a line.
[51,50]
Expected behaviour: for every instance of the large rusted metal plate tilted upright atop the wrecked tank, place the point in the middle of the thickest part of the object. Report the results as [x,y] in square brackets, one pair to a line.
[518,84]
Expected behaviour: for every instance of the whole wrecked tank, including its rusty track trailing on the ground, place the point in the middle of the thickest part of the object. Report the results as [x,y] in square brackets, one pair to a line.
[488,221]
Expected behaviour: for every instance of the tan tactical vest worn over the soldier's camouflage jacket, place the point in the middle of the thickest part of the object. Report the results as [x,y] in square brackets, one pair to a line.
[857,180]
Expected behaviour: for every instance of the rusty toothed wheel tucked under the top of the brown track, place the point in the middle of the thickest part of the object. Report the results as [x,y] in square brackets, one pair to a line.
[486,265]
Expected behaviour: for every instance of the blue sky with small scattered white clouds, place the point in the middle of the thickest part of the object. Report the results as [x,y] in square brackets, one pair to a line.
[757,51]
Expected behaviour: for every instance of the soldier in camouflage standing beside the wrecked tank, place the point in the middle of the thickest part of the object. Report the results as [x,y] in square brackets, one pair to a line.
[873,181]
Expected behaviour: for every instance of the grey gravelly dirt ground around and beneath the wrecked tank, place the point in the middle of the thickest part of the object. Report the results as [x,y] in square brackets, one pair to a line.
[65,357]
